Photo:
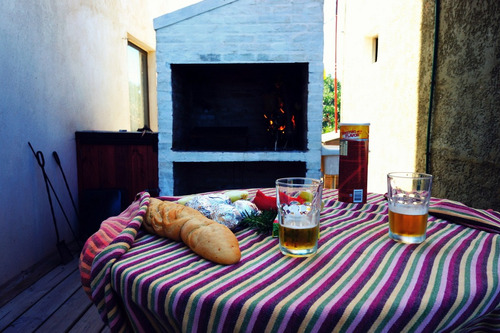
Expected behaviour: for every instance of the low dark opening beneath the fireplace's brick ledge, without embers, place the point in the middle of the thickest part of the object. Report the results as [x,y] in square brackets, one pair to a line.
[190,178]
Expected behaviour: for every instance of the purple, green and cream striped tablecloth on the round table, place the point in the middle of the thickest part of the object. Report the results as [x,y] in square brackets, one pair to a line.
[359,281]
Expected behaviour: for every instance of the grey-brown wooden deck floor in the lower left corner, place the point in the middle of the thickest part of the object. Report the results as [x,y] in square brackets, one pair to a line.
[55,302]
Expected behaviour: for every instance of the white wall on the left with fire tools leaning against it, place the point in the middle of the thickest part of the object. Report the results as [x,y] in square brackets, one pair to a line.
[62,69]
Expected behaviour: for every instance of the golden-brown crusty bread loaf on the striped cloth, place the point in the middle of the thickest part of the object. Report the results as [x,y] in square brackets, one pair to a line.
[205,237]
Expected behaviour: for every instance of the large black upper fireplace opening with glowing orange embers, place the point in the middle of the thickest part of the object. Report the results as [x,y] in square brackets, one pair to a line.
[240,107]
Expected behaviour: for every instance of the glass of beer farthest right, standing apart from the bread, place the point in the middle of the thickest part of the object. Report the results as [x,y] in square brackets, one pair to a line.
[408,196]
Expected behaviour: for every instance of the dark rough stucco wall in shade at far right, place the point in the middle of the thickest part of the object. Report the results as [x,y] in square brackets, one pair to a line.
[465,145]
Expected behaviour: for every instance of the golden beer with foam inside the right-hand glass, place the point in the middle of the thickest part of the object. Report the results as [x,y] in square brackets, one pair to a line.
[408,223]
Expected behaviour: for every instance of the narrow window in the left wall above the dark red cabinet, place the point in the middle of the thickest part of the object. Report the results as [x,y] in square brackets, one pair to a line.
[138,87]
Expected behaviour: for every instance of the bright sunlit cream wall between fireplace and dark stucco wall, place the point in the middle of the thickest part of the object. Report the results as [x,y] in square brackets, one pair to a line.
[383,93]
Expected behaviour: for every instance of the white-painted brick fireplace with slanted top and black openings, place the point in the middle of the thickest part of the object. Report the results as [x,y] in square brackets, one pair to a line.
[240,88]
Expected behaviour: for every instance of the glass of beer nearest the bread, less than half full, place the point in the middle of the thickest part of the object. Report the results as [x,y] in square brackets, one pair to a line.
[299,208]
